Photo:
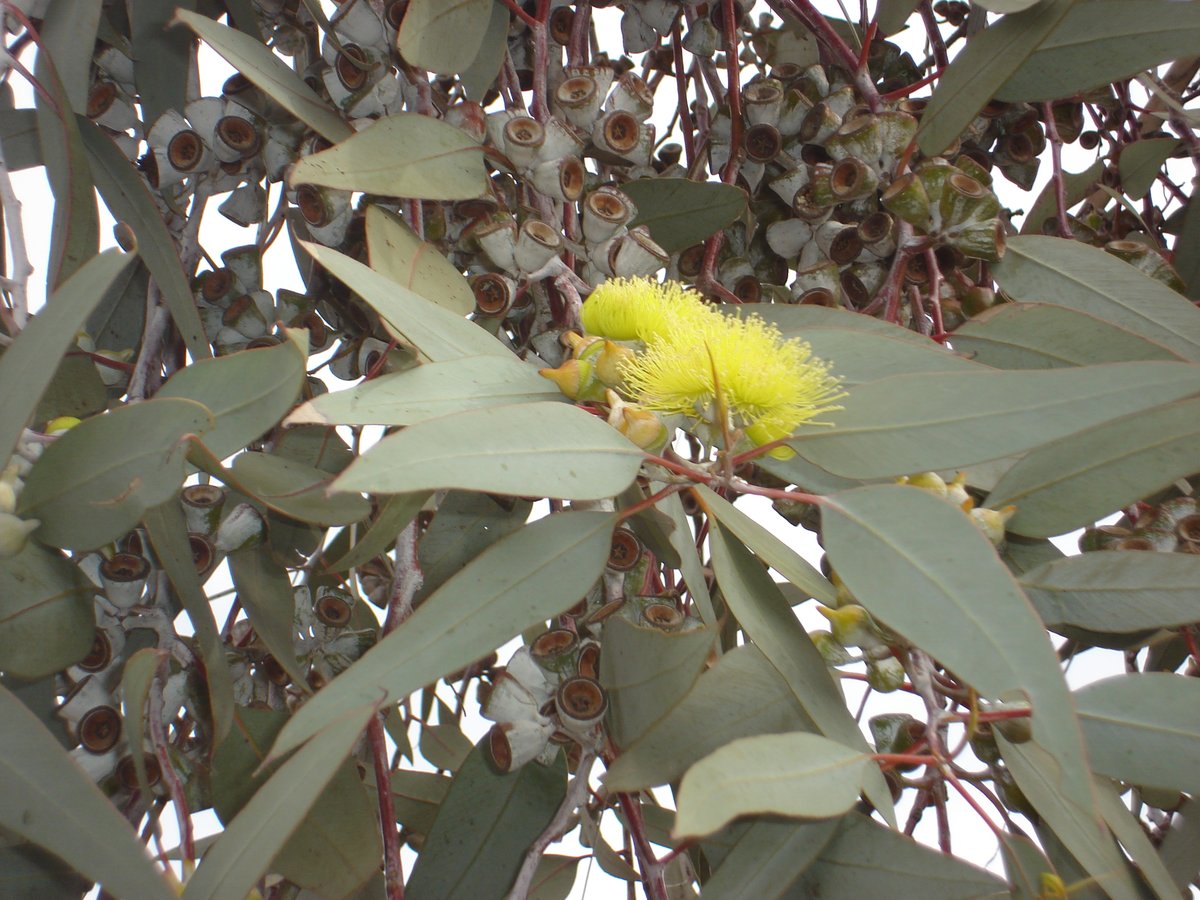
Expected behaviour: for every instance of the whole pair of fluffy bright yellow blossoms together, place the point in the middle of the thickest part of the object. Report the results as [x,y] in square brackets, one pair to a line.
[723,371]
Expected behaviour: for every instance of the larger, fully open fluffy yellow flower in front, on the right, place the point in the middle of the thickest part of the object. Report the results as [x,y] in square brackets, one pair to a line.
[767,385]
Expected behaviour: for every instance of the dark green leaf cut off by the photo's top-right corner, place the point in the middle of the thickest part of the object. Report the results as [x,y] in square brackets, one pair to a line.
[1105,41]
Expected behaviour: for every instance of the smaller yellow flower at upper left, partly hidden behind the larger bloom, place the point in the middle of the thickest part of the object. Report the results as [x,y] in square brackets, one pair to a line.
[641,309]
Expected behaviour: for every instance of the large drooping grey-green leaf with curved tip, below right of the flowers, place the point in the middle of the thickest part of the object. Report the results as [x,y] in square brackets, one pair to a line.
[925,571]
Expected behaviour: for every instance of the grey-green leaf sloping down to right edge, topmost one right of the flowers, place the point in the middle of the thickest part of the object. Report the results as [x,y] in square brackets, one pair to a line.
[1087,279]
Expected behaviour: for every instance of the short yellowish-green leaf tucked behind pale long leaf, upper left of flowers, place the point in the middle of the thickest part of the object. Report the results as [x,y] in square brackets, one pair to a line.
[397,253]
